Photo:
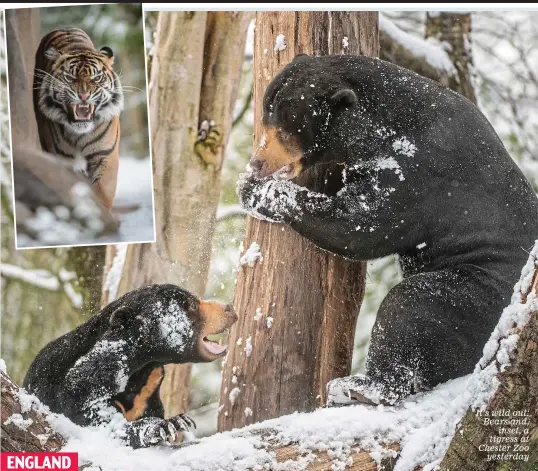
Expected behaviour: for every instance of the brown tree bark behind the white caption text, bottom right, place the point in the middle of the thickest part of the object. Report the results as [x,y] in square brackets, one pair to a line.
[517,391]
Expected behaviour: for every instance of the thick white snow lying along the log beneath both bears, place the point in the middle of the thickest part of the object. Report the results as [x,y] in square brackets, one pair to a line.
[423,424]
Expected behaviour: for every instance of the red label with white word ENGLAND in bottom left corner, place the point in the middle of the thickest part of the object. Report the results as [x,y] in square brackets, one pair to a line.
[39,461]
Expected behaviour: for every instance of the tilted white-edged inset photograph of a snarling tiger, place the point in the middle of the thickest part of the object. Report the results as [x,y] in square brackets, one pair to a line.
[82,170]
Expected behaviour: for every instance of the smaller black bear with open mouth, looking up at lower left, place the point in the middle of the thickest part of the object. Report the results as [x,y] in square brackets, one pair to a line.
[114,361]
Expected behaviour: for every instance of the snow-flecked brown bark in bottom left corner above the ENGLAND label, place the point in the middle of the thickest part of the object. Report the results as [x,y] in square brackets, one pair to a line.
[36,435]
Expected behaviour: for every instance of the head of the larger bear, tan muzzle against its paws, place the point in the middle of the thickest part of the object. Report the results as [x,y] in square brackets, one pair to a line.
[299,109]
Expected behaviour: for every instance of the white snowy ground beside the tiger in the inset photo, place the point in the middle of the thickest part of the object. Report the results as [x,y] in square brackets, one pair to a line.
[134,188]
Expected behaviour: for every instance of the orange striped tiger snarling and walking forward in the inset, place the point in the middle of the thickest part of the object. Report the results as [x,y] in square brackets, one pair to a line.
[78,99]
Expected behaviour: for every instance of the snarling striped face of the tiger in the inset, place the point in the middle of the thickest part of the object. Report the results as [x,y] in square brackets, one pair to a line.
[81,90]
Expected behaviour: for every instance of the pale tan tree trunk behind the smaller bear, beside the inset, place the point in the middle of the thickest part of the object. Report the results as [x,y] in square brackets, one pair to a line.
[195,74]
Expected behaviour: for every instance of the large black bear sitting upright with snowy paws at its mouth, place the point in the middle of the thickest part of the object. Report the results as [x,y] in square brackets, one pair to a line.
[424,176]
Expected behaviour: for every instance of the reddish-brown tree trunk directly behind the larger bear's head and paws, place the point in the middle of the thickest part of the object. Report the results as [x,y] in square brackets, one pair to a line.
[312,297]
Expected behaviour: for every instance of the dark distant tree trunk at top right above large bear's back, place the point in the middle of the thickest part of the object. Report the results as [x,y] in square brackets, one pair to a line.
[455,30]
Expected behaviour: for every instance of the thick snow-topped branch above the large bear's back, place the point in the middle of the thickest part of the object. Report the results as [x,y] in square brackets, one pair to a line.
[424,56]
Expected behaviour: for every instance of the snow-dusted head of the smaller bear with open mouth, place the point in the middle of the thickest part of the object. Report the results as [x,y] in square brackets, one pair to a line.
[167,324]
